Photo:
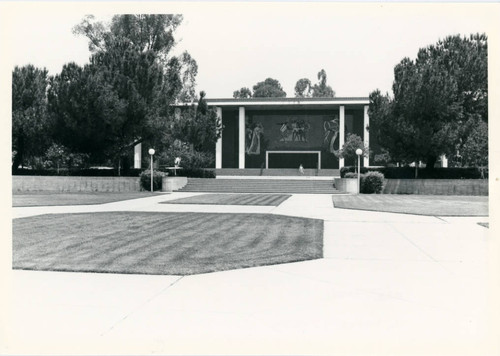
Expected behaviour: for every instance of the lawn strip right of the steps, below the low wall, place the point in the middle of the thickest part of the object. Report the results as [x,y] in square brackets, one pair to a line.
[434,205]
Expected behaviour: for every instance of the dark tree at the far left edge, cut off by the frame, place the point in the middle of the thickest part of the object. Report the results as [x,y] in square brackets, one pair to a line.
[30,121]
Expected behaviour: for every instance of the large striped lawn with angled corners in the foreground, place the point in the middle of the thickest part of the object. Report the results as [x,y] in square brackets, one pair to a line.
[162,243]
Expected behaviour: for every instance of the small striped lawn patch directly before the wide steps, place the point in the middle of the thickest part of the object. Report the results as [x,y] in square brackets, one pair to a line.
[233,199]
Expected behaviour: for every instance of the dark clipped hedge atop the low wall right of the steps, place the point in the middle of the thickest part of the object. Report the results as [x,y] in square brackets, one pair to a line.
[409,172]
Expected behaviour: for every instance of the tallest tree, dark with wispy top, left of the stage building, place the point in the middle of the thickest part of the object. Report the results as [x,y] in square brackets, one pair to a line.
[128,89]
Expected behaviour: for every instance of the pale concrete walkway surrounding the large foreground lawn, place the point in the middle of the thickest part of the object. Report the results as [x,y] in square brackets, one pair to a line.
[388,284]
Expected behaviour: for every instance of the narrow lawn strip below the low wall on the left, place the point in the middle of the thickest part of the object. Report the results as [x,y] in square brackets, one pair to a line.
[56,198]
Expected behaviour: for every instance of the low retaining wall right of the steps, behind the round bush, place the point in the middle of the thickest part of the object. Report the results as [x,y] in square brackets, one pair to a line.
[436,186]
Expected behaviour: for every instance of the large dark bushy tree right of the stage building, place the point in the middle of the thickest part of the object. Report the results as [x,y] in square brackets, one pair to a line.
[437,97]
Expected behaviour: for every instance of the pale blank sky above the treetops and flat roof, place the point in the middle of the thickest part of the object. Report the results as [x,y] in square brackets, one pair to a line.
[239,45]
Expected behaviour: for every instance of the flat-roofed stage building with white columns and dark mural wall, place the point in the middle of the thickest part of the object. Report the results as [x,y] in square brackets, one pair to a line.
[286,132]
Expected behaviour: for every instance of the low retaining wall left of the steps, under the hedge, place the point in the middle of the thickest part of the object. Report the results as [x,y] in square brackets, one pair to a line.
[75,184]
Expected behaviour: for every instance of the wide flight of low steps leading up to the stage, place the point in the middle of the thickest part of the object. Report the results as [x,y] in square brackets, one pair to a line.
[255,185]
